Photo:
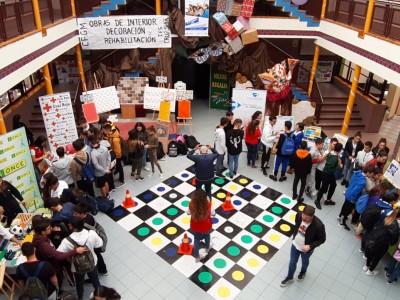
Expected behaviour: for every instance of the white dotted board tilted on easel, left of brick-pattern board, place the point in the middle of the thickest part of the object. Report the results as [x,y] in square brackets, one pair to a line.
[106,99]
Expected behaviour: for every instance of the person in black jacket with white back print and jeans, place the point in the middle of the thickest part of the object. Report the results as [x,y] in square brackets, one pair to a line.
[234,139]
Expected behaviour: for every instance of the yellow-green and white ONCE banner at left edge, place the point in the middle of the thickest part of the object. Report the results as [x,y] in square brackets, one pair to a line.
[16,167]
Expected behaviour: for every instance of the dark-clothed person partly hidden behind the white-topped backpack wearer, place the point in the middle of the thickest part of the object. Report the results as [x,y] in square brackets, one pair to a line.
[81,210]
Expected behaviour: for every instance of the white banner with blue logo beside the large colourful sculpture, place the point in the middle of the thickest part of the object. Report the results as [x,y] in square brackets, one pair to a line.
[246,102]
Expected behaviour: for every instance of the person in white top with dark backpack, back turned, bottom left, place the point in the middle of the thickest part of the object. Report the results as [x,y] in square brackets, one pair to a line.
[89,239]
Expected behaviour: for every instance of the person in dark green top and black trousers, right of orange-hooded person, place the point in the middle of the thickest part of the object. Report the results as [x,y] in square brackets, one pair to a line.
[328,176]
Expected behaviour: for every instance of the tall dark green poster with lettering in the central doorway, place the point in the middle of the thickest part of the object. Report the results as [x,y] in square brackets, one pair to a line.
[219,88]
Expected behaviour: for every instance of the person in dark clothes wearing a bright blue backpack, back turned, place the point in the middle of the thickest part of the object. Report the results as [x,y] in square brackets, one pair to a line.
[285,150]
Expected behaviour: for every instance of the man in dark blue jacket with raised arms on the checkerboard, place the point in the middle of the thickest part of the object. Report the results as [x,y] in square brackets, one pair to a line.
[204,166]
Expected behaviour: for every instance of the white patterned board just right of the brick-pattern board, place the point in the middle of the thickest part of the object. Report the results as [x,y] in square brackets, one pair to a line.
[154,95]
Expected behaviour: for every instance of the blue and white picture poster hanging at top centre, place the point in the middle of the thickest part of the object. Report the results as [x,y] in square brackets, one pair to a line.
[196,17]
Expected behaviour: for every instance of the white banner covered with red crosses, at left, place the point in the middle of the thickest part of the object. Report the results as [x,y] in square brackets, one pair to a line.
[59,120]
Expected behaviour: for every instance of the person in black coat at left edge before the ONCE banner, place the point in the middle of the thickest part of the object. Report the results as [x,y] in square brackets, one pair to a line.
[8,196]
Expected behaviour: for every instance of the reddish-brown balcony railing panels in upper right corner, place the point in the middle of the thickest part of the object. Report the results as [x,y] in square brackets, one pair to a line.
[385,20]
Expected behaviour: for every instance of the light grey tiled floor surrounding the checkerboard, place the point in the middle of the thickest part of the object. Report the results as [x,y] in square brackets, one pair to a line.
[335,270]
